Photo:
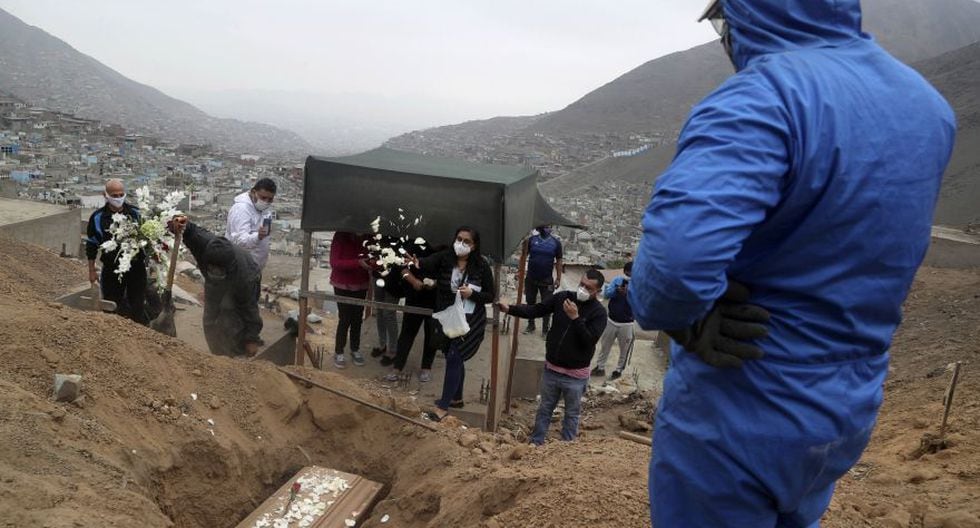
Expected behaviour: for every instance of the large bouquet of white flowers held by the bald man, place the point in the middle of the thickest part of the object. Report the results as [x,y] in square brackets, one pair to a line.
[149,234]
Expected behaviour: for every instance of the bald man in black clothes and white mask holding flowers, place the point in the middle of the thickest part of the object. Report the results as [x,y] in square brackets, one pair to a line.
[128,291]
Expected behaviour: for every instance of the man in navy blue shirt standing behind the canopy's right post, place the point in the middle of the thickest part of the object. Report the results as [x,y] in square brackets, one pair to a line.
[544,256]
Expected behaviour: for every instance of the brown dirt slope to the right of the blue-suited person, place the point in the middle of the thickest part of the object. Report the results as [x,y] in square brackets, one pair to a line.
[889,488]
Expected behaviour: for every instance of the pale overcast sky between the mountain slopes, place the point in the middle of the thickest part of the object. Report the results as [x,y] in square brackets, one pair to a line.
[490,57]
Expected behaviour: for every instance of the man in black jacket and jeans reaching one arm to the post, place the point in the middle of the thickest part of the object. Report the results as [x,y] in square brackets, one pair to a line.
[578,321]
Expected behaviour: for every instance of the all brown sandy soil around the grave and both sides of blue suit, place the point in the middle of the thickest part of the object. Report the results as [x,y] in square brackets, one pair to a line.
[138,450]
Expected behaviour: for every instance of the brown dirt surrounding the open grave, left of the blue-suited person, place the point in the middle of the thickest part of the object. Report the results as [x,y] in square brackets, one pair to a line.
[165,435]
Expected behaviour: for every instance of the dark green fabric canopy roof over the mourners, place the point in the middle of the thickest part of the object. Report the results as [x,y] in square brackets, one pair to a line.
[502,202]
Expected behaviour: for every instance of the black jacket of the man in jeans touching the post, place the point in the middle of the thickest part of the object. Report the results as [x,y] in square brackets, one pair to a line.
[570,344]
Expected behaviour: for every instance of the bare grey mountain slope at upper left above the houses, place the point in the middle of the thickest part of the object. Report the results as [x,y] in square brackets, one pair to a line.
[45,71]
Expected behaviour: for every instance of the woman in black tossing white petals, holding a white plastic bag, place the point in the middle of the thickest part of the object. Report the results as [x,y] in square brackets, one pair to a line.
[463,269]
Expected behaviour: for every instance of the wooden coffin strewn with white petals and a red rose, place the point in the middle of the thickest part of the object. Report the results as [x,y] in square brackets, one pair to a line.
[327,498]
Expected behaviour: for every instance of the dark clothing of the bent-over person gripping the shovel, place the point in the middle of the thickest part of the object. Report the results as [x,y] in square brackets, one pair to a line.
[231,310]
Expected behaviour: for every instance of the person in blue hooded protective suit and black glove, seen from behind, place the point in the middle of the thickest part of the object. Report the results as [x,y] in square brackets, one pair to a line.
[777,250]
